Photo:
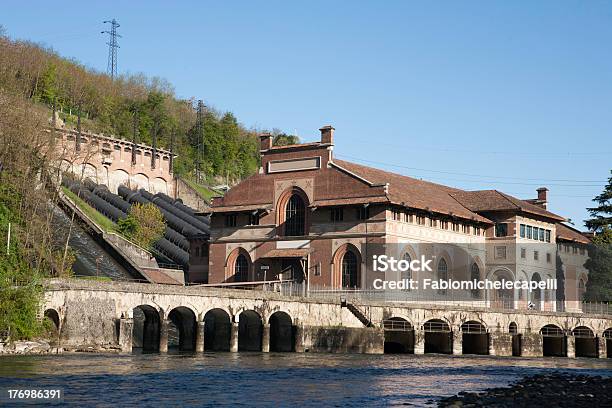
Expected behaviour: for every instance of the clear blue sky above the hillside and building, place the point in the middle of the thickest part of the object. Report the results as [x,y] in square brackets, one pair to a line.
[477,95]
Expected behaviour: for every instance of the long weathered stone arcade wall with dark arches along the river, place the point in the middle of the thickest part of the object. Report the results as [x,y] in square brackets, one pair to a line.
[158,317]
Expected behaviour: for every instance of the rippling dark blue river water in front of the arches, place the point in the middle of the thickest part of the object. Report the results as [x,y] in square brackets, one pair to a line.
[274,379]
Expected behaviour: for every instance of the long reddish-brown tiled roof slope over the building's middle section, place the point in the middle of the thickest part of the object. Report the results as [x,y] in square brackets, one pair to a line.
[414,193]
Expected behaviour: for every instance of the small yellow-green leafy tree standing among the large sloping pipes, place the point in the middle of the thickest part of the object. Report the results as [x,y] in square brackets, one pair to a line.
[144,225]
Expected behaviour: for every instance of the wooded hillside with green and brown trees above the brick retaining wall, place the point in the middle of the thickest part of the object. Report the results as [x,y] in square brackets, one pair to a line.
[229,150]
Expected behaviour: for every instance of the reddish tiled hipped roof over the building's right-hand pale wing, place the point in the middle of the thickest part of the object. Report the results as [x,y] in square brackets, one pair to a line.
[493,200]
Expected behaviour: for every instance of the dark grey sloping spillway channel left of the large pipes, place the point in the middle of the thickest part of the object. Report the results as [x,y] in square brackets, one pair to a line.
[91,259]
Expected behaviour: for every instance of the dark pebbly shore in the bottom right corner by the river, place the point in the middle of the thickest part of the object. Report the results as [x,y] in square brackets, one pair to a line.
[553,390]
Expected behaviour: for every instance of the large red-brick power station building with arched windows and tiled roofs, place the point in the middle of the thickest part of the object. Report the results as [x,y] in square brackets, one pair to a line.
[309,217]
